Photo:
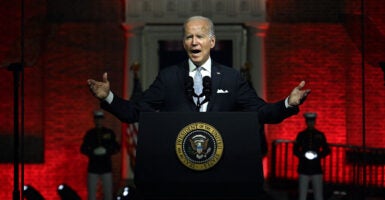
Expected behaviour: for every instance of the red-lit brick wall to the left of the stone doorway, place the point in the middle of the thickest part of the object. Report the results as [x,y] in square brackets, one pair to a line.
[55,87]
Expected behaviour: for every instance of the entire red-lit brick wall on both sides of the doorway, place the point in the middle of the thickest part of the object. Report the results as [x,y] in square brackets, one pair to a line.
[65,54]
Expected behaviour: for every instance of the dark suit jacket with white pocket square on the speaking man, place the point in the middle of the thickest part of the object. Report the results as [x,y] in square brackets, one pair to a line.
[229,92]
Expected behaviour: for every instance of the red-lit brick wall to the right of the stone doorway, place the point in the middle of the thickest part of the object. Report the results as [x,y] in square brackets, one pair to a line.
[324,55]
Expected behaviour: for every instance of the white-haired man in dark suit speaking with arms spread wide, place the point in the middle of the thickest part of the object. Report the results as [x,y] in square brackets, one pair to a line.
[171,92]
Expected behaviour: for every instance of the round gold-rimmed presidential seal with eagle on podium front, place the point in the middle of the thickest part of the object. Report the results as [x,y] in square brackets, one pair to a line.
[199,146]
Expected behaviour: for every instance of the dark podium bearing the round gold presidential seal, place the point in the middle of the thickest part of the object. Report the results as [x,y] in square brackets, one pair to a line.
[164,172]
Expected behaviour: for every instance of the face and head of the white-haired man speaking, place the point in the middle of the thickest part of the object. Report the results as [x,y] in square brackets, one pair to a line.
[197,41]
